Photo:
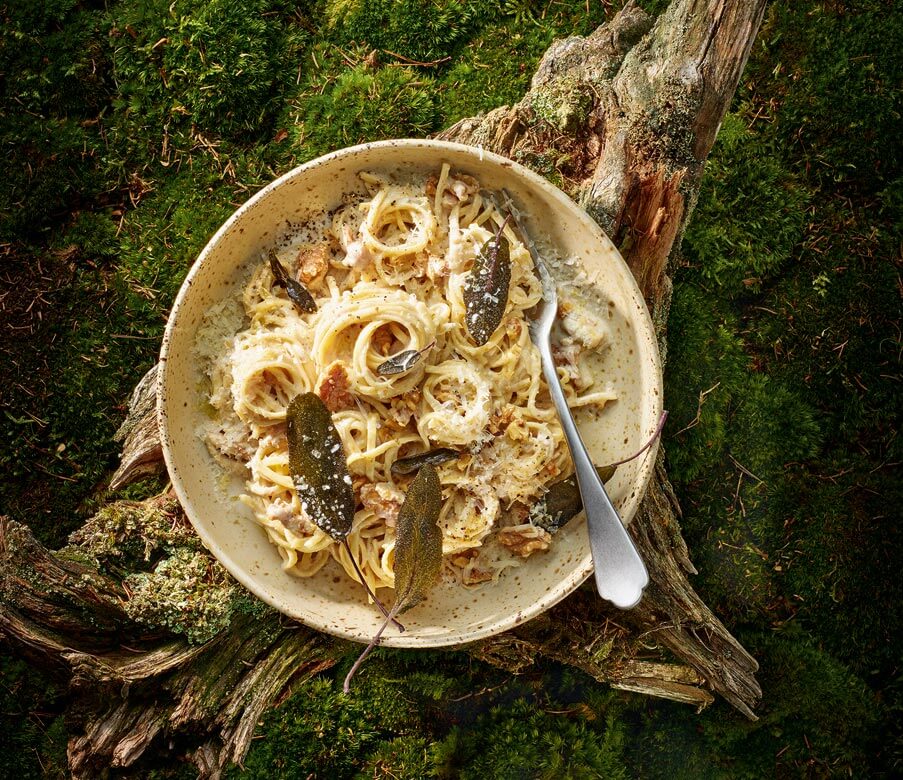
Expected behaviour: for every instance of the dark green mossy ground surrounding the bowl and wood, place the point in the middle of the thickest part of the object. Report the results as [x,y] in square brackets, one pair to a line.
[132,128]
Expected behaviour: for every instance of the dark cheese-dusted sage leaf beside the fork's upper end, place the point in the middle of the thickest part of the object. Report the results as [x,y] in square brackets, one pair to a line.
[486,288]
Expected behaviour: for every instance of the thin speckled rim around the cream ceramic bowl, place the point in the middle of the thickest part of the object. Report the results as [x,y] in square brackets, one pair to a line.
[643,322]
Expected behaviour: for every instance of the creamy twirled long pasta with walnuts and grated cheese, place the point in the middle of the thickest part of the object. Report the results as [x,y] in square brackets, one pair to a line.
[387,272]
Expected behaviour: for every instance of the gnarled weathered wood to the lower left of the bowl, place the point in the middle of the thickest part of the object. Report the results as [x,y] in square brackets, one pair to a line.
[131,684]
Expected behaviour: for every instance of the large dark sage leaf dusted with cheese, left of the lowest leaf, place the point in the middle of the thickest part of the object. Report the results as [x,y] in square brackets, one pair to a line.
[318,467]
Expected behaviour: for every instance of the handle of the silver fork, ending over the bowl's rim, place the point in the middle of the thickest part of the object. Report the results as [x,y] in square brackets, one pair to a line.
[620,572]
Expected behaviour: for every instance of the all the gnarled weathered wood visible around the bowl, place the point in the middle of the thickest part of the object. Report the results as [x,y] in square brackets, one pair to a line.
[624,118]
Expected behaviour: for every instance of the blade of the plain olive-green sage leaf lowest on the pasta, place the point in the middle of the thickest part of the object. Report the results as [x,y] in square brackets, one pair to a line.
[418,540]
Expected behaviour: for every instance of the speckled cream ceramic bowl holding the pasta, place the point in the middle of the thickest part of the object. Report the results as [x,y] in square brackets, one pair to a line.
[330,601]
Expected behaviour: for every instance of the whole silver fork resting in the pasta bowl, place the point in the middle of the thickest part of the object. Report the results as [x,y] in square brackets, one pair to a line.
[620,572]
